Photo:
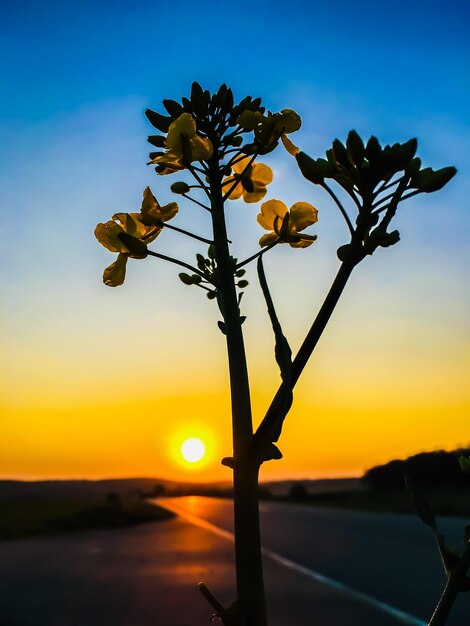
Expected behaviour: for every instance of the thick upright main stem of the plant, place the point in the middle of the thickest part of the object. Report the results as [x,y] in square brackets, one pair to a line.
[249,572]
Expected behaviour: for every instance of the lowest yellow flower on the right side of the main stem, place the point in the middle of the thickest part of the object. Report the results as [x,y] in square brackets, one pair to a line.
[287,224]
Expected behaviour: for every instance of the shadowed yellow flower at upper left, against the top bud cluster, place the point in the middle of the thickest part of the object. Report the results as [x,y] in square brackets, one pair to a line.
[183,145]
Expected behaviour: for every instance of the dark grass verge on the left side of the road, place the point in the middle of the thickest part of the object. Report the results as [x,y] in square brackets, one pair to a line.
[26,517]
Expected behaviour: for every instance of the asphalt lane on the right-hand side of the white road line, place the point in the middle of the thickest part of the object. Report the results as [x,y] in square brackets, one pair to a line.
[390,557]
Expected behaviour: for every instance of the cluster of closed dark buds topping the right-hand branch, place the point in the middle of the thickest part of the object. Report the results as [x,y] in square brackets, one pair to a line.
[377,179]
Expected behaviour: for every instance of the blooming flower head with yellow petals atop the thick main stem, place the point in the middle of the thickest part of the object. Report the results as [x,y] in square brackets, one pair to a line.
[217,142]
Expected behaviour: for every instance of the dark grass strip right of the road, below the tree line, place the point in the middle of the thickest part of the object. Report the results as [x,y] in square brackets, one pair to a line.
[451,501]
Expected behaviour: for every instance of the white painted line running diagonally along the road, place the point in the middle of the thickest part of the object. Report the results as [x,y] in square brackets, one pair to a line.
[401,616]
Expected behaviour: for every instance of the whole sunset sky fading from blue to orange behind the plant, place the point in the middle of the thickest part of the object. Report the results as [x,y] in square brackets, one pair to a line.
[100,382]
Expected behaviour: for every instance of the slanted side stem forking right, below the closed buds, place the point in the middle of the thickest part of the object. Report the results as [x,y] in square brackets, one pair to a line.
[270,428]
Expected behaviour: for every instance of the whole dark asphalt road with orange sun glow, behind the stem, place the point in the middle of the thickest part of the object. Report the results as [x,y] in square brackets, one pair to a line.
[147,575]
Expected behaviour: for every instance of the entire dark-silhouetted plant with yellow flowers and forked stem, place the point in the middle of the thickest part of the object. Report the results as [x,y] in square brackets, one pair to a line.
[216,144]
